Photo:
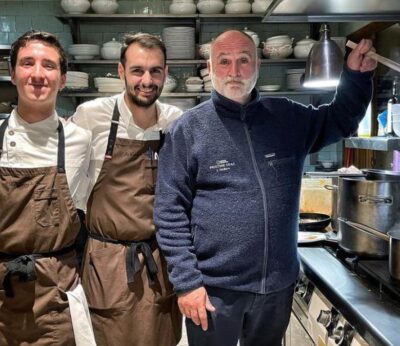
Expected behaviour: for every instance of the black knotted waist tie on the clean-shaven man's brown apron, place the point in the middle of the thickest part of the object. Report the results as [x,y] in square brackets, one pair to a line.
[23,266]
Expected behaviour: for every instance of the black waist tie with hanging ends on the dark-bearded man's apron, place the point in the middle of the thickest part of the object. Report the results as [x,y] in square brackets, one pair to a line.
[132,257]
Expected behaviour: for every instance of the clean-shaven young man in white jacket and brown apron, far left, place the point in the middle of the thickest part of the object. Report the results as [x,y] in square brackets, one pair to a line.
[43,161]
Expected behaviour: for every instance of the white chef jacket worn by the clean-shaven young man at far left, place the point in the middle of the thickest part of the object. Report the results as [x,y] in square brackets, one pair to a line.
[32,145]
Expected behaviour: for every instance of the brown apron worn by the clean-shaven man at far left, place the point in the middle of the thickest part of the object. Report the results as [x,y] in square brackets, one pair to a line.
[38,226]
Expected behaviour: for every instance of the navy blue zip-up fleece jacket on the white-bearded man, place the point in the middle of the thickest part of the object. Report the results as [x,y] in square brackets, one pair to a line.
[227,198]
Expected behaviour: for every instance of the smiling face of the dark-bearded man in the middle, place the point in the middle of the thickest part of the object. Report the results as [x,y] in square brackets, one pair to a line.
[144,73]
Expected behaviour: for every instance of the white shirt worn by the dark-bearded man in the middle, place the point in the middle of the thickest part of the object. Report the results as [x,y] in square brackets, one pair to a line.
[96,115]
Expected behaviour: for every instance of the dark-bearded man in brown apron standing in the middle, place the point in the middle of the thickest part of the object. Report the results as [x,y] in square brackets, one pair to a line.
[124,274]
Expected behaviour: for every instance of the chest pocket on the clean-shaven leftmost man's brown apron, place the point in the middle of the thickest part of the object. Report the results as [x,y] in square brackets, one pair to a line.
[47,209]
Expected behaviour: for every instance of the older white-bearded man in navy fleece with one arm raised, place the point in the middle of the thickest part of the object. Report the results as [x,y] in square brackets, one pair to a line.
[227,196]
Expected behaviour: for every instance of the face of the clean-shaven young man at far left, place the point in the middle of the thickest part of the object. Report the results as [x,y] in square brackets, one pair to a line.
[37,75]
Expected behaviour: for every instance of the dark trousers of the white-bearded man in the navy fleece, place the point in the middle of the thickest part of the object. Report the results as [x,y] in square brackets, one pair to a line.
[253,319]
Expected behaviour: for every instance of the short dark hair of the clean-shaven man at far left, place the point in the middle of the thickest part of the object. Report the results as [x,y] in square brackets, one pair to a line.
[42,36]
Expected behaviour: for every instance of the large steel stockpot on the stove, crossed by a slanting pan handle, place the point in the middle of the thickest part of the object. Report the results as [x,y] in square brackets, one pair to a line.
[369,202]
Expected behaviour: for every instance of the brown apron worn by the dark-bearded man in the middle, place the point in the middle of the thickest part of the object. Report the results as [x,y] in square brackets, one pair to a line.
[124,274]
